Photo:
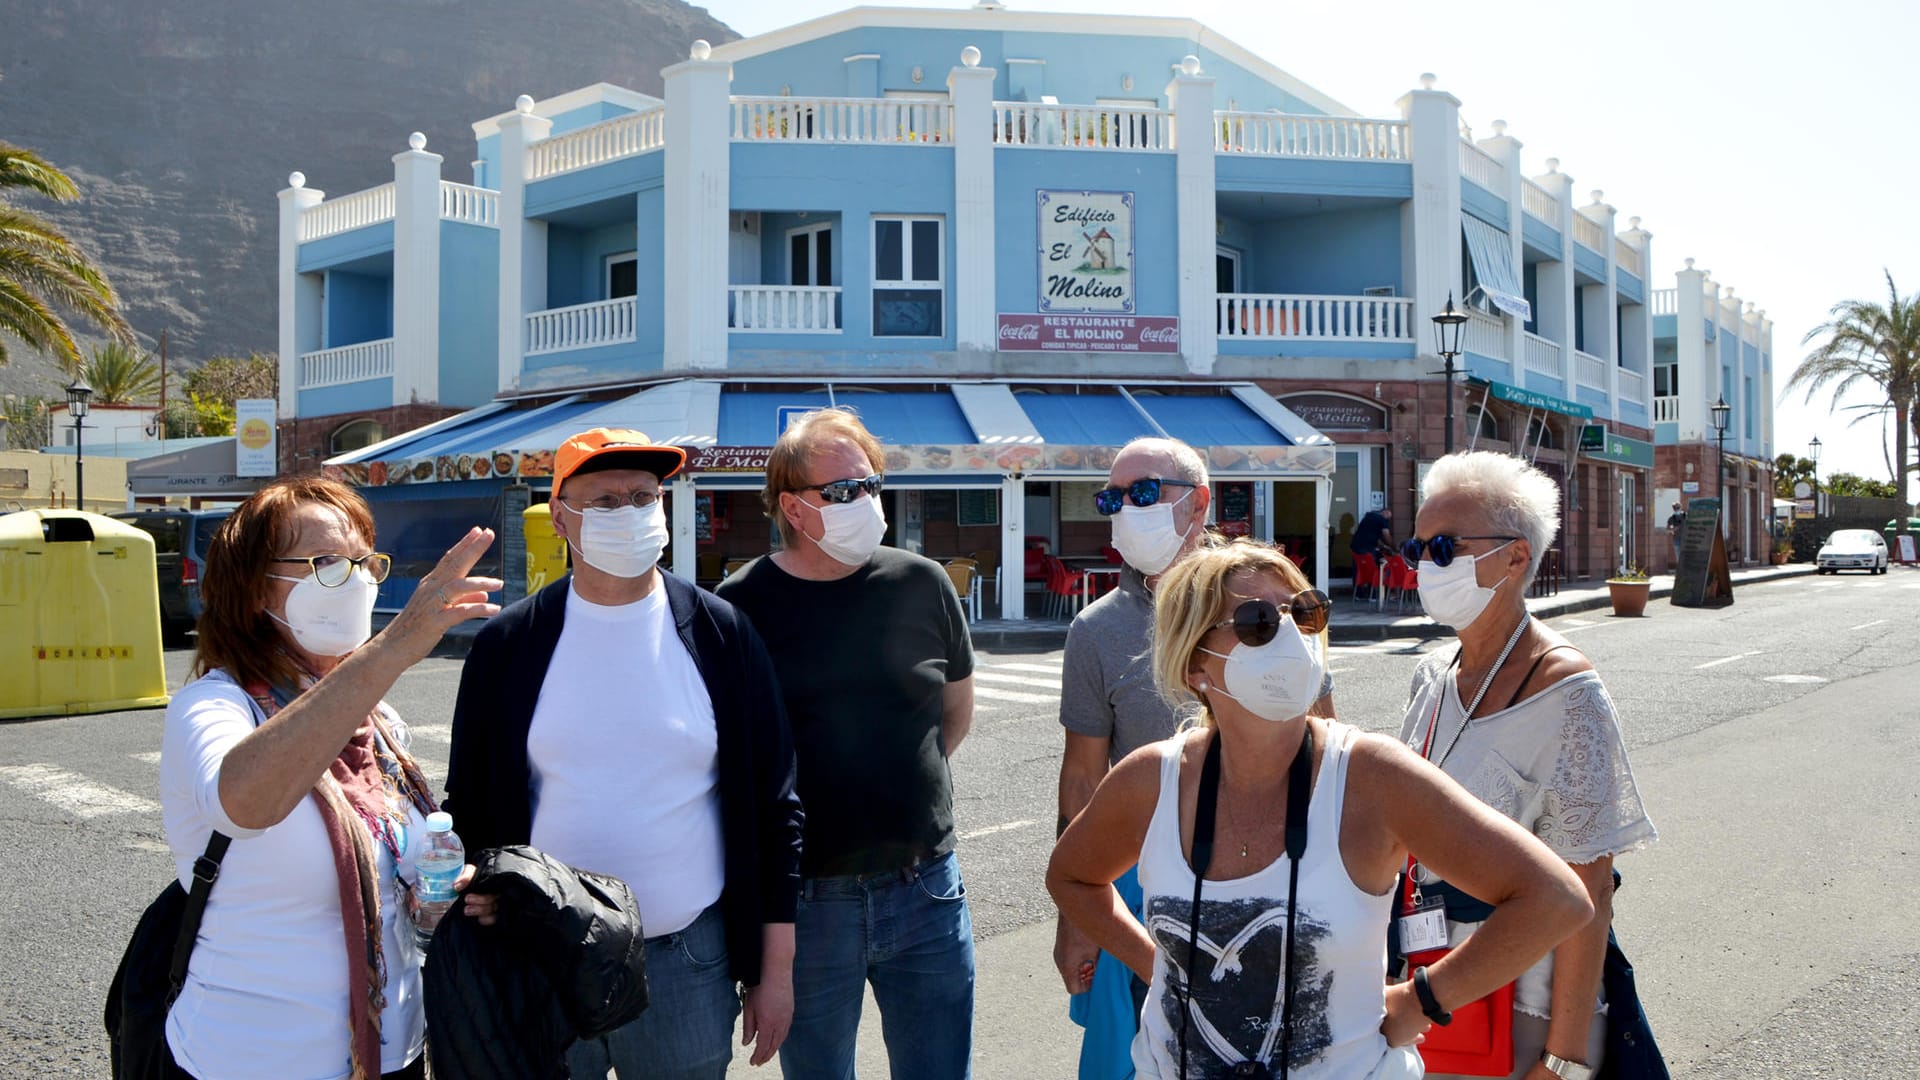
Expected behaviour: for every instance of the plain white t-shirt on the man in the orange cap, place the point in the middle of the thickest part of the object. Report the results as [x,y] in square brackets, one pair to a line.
[625,760]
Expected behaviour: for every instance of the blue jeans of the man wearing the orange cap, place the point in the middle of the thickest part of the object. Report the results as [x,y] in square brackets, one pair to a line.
[688,1027]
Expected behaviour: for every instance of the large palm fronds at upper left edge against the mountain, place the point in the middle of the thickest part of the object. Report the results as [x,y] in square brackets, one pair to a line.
[43,272]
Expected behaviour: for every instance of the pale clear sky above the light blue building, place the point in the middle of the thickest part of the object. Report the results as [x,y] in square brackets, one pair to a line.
[1767,139]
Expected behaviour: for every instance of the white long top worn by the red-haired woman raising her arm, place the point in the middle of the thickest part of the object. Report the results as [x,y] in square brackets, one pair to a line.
[268,987]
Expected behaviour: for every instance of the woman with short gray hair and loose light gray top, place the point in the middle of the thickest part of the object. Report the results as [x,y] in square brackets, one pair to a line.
[1524,722]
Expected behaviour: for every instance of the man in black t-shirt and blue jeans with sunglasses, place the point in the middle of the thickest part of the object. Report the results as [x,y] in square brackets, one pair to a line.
[876,670]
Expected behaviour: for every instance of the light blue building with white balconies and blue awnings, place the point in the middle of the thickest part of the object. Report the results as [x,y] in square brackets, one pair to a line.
[1011,241]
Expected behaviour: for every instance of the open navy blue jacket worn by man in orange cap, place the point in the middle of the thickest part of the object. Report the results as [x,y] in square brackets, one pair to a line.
[489,775]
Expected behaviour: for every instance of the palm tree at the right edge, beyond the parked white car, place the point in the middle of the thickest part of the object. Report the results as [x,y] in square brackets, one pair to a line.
[1871,345]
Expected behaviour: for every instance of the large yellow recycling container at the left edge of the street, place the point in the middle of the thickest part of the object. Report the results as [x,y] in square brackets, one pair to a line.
[80,616]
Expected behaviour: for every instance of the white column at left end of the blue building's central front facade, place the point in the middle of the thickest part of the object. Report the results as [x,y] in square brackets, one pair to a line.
[698,205]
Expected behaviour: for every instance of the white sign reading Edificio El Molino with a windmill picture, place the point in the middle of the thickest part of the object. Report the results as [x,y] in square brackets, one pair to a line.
[1086,253]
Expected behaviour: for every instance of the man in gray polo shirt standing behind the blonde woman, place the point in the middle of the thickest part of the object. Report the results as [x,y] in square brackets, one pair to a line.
[1159,501]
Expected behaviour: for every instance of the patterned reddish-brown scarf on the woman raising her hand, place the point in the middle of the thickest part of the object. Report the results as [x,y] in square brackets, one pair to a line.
[366,781]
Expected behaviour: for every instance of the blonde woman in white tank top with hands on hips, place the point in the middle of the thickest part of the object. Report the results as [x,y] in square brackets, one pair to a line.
[1237,641]
